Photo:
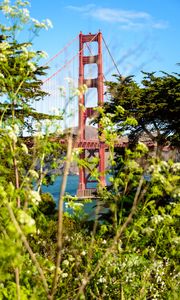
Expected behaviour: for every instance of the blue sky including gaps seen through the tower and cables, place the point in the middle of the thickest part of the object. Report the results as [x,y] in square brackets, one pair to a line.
[141,35]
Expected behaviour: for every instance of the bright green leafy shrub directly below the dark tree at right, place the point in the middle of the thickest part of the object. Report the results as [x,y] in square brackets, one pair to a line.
[161,183]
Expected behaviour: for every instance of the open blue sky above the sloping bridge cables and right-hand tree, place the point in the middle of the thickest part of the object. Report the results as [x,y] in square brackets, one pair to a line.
[141,34]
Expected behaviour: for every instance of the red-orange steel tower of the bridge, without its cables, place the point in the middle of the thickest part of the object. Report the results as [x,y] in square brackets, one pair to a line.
[89,148]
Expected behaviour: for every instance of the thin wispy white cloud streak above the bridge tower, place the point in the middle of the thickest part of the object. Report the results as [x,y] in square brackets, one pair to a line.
[127,19]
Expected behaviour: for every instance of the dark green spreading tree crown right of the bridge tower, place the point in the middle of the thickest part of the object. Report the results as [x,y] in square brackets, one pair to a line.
[154,104]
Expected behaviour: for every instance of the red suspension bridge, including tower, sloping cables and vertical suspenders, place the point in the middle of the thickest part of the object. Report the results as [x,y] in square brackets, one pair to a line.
[85,68]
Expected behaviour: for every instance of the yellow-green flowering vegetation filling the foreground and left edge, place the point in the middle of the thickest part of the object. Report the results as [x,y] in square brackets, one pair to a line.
[46,254]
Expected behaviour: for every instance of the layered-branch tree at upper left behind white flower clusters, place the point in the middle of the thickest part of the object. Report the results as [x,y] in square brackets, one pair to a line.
[20,69]
